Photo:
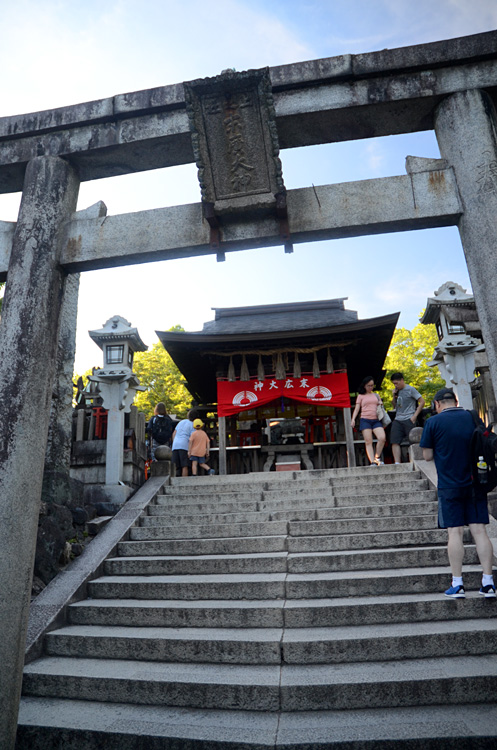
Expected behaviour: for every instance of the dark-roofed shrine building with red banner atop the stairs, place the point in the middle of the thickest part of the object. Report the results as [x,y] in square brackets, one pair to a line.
[273,382]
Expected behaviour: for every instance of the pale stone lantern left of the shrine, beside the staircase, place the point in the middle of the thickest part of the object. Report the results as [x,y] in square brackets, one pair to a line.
[117,385]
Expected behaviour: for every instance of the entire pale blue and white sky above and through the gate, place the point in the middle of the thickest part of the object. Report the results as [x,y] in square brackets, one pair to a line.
[62,52]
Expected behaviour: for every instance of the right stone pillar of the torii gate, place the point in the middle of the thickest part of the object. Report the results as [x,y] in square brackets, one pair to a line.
[465,125]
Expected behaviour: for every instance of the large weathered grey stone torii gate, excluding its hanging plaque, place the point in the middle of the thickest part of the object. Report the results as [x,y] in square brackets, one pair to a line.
[450,86]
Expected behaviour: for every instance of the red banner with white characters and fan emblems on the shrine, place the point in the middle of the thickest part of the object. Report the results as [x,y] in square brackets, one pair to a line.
[240,395]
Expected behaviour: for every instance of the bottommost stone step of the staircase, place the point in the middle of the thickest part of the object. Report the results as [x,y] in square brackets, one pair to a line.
[87,725]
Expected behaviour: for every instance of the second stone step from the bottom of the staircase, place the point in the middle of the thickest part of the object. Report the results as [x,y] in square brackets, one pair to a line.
[410,682]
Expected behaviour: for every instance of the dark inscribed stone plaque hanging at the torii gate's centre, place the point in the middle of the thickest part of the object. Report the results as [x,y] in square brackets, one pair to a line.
[235,140]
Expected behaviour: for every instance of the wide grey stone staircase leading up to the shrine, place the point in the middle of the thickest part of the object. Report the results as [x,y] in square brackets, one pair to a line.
[285,610]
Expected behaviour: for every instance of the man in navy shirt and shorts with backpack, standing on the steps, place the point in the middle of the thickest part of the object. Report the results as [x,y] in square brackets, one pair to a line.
[447,438]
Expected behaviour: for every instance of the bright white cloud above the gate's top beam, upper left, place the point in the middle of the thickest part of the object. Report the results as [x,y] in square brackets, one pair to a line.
[58,53]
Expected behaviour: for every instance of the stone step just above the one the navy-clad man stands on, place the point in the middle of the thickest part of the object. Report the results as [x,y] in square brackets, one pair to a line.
[279,585]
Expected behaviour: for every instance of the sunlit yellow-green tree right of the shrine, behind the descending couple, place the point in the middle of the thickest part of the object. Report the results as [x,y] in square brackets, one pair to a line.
[409,353]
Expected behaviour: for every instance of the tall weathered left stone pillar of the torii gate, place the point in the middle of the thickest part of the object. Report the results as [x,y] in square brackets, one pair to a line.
[28,353]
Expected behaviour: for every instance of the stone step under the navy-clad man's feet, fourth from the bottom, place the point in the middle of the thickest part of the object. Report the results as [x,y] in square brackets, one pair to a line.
[276,613]
